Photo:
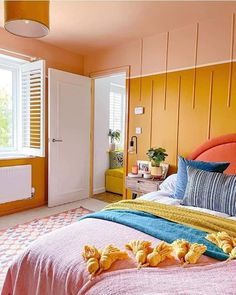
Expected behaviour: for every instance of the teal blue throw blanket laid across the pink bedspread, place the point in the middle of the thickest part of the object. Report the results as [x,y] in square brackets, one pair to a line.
[159,228]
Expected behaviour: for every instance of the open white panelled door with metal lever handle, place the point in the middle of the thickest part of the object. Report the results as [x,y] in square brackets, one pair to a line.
[69,137]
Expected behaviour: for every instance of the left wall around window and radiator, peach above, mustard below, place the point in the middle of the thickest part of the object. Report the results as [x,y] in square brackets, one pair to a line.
[55,58]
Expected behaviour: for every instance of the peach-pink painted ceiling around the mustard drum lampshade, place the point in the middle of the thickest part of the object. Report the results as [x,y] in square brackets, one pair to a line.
[86,26]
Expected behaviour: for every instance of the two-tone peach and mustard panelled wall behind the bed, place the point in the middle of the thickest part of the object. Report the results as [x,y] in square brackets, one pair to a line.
[186,81]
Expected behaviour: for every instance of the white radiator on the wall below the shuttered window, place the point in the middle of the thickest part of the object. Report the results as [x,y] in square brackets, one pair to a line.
[15,183]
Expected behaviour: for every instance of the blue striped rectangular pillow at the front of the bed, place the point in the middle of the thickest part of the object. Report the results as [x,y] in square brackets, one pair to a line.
[211,190]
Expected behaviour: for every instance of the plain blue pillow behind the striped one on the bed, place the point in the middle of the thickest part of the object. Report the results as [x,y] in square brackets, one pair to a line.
[182,176]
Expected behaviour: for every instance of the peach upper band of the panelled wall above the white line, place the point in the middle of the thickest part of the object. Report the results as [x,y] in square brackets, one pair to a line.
[214,44]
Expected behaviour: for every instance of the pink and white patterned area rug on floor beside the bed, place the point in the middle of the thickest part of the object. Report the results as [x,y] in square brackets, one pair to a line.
[14,240]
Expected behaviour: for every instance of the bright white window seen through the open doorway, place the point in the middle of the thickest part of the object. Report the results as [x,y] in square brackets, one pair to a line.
[117,110]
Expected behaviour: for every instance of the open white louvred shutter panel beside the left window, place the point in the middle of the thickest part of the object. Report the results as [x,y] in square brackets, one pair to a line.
[32,135]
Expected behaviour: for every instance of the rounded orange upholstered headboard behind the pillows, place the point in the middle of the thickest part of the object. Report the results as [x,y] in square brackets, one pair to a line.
[219,149]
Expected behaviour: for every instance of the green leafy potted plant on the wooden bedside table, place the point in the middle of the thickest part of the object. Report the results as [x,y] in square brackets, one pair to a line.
[156,156]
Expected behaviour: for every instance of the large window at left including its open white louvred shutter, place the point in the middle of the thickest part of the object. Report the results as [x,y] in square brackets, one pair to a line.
[21,107]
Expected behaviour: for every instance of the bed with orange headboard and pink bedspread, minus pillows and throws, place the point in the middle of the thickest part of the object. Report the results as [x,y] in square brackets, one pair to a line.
[53,264]
